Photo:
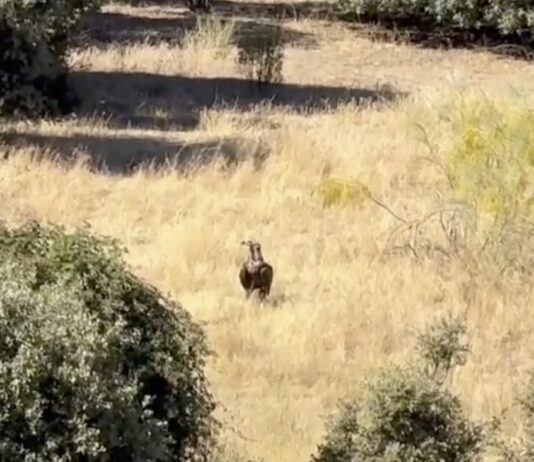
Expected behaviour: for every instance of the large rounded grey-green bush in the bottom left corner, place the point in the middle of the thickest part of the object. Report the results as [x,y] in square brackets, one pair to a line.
[94,363]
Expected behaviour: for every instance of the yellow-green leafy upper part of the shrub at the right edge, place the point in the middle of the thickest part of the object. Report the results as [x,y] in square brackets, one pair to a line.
[490,161]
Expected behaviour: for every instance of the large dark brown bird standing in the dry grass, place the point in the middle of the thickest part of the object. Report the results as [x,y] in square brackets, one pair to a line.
[256,273]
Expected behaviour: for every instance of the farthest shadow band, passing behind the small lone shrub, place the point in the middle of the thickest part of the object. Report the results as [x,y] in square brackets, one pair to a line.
[104,28]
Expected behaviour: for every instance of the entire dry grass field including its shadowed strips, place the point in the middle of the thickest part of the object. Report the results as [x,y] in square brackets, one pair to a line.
[337,310]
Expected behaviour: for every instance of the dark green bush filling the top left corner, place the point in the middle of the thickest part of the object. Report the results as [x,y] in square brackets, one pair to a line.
[34,38]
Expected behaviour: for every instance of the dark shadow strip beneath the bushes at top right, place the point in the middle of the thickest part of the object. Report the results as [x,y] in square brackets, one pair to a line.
[426,33]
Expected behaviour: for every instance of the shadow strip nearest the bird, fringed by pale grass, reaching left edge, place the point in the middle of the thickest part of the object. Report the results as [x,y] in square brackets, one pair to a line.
[123,155]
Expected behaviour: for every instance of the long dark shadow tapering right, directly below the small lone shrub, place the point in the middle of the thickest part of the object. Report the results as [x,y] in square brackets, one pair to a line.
[132,99]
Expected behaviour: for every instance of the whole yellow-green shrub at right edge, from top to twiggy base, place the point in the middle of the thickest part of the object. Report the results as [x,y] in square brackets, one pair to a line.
[485,147]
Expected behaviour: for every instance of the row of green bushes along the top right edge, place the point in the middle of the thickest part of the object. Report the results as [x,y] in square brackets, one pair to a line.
[504,16]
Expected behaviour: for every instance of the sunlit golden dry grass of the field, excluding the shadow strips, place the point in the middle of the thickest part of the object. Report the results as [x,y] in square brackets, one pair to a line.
[338,310]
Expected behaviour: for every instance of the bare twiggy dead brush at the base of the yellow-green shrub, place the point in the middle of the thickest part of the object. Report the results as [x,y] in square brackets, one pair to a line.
[456,232]
